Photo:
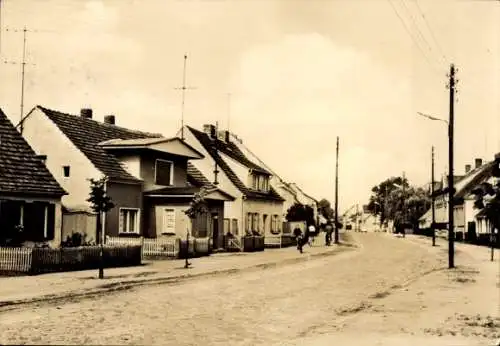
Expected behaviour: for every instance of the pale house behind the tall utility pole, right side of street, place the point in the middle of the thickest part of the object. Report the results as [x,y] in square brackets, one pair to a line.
[465,215]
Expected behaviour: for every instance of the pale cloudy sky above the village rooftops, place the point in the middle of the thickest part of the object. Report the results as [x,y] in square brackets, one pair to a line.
[300,73]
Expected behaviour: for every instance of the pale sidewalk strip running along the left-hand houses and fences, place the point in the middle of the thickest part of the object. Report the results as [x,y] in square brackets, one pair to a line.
[67,285]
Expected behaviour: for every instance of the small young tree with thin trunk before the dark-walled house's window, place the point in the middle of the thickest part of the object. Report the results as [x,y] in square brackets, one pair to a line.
[100,203]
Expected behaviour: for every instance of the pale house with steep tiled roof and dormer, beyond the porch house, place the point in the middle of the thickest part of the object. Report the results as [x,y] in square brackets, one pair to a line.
[258,207]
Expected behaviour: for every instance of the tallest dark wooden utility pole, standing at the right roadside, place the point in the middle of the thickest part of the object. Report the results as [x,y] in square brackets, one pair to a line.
[451,188]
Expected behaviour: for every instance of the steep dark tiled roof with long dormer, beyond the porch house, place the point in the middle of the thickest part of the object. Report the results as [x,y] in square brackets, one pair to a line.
[231,150]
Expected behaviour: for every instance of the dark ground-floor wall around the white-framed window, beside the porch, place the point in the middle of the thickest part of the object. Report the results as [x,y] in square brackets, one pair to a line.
[123,196]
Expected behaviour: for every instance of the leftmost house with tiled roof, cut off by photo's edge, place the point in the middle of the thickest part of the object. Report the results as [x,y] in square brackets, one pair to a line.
[30,196]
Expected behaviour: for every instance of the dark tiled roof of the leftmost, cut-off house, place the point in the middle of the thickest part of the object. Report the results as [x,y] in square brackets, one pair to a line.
[21,172]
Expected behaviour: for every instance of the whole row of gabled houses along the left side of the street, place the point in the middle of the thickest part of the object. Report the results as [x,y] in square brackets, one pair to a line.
[45,169]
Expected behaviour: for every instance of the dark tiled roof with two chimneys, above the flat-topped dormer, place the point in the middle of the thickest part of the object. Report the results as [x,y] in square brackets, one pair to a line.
[86,134]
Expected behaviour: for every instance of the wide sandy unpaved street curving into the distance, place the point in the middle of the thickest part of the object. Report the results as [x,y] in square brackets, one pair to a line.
[356,297]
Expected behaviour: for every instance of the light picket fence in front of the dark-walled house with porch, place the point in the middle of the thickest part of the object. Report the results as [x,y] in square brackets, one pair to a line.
[167,247]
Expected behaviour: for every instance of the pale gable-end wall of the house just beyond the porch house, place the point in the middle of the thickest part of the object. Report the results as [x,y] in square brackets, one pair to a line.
[233,209]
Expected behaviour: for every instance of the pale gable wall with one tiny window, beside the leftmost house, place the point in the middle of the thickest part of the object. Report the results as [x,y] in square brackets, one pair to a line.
[46,139]
